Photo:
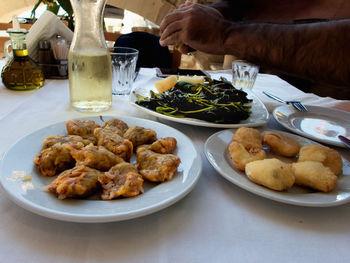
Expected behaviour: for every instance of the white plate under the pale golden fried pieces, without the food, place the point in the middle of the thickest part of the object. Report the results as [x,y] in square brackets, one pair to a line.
[216,150]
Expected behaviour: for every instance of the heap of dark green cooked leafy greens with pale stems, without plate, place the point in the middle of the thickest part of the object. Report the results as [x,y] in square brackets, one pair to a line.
[214,101]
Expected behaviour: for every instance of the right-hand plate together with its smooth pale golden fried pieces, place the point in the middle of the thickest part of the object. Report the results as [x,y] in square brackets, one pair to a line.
[280,166]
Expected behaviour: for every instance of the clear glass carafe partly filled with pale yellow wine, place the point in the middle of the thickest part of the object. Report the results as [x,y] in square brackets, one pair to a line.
[89,61]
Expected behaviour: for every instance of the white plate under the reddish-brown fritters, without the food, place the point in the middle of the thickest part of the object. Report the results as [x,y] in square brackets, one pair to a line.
[18,162]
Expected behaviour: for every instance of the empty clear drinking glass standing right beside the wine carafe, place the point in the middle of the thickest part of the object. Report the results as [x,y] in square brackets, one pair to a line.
[123,69]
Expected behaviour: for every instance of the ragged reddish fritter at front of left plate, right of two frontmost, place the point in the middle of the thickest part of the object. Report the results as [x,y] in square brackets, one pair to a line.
[121,180]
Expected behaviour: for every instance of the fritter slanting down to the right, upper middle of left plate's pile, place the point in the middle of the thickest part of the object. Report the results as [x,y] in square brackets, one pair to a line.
[114,143]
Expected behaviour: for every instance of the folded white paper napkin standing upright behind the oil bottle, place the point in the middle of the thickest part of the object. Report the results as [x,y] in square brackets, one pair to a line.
[46,28]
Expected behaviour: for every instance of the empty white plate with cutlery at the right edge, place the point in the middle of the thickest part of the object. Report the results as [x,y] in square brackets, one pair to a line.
[319,123]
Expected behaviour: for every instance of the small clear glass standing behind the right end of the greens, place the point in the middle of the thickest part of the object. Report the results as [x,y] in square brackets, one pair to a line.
[244,74]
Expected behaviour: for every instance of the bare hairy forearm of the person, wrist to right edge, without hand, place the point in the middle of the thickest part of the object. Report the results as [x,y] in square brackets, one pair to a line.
[318,51]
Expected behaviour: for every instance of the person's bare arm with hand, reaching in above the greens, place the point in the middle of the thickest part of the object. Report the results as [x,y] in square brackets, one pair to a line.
[316,51]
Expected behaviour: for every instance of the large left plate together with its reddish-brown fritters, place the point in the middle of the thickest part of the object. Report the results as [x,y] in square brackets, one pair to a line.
[100,169]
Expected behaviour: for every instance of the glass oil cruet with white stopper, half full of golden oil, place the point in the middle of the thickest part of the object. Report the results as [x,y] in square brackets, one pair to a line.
[20,72]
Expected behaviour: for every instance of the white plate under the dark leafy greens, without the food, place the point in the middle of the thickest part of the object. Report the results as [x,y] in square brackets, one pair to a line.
[258,117]
